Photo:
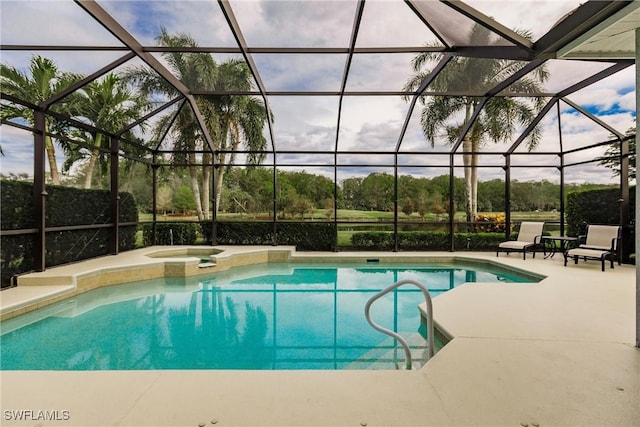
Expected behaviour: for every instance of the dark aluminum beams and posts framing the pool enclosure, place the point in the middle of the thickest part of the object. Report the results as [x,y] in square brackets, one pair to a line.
[566,32]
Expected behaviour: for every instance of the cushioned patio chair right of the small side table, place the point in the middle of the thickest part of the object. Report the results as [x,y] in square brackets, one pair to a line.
[602,242]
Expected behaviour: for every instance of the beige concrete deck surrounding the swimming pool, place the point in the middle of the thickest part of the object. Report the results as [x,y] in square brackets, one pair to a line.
[559,352]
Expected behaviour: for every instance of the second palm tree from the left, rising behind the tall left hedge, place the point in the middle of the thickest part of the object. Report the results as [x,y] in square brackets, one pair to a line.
[107,104]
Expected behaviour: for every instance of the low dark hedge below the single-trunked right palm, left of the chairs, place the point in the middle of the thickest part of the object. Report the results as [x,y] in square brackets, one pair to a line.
[426,241]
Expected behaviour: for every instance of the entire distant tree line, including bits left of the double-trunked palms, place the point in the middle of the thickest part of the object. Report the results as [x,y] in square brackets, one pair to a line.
[250,192]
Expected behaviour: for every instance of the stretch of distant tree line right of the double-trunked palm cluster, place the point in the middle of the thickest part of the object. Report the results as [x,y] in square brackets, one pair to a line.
[250,191]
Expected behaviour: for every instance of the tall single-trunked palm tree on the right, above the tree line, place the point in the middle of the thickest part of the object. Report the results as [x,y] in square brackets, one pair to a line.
[500,116]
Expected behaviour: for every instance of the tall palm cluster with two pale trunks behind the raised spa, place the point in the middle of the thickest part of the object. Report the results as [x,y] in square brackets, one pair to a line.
[230,120]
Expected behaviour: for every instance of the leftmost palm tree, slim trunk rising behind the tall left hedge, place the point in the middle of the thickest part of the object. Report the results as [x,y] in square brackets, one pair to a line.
[43,81]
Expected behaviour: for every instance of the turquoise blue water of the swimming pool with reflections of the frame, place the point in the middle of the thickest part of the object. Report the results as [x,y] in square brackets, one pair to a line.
[271,316]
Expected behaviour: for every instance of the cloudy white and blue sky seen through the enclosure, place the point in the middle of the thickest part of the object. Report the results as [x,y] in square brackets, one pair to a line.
[310,122]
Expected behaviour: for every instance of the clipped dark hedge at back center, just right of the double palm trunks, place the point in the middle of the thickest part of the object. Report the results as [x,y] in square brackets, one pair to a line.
[316,236]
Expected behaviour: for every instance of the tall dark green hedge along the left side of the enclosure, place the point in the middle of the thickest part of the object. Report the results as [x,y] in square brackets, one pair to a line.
[65,206]
